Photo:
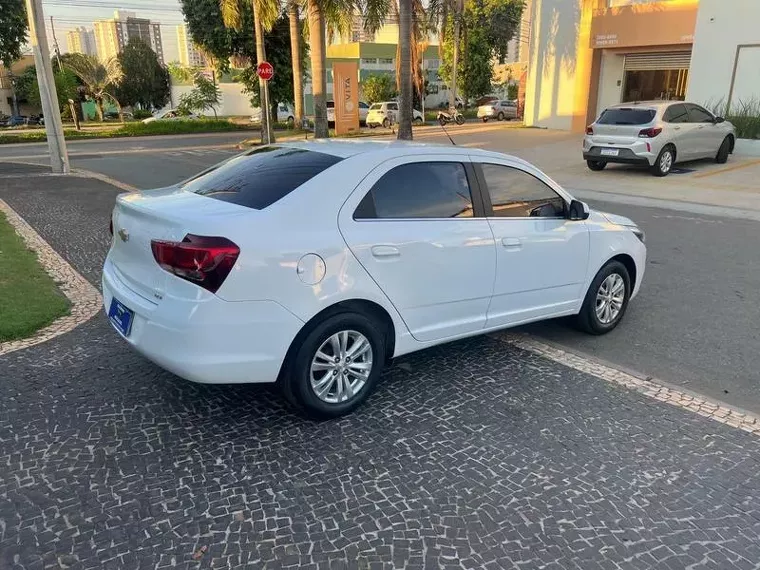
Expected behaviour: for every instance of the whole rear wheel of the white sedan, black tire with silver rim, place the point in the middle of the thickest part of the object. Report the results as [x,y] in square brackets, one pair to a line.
[306,371]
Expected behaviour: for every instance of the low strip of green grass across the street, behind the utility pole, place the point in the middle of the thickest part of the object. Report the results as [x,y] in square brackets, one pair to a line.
[136,129]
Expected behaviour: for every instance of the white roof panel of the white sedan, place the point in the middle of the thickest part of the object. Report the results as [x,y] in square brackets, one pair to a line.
[346,148]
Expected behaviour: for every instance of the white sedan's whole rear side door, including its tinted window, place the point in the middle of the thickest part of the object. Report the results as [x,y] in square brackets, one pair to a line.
[413,226]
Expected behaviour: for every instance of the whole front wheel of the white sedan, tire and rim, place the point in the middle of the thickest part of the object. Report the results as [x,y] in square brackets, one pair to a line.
[605,291]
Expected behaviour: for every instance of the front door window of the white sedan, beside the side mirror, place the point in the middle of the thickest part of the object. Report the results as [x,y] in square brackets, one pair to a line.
[516,194]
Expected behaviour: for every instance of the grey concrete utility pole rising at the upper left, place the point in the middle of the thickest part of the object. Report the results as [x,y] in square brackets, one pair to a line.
[59,159]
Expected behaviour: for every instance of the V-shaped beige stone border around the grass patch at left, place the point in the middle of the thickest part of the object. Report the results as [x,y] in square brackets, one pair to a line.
[85,299]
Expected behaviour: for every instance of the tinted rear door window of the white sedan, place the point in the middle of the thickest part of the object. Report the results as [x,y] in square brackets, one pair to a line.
[419,190]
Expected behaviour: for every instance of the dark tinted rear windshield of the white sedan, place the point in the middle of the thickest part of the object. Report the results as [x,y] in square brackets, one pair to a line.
[262,176]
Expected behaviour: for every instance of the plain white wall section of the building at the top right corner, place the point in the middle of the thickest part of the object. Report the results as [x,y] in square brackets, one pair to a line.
[719,30]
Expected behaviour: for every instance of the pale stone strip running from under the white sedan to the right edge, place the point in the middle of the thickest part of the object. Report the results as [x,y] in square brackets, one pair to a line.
[650,387]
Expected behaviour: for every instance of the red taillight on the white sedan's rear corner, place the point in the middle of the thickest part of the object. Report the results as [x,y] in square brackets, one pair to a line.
[205,261]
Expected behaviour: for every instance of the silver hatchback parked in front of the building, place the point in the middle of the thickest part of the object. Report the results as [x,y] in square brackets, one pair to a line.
[657,134]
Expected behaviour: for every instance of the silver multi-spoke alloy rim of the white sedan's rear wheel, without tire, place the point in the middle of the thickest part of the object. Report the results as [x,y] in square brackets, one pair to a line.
[341,366]
